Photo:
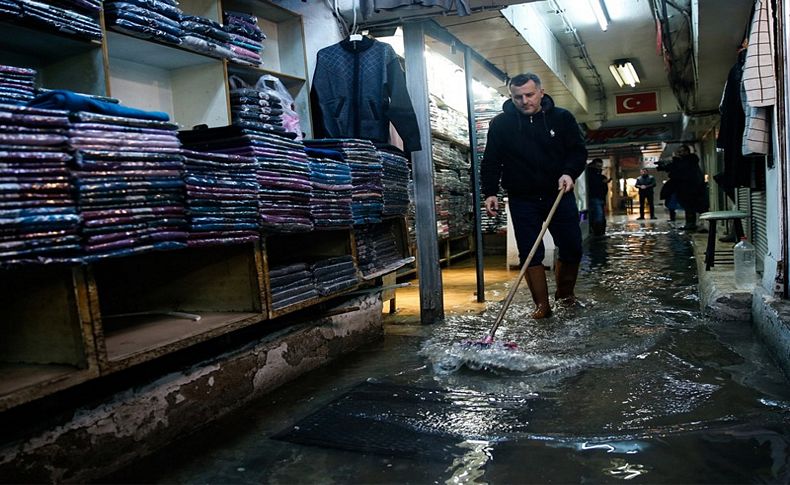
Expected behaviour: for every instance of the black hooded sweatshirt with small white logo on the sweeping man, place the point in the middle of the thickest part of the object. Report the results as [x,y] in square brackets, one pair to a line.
[529,153]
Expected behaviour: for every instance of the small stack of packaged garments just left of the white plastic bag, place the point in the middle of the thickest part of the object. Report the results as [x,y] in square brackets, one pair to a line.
[256,109]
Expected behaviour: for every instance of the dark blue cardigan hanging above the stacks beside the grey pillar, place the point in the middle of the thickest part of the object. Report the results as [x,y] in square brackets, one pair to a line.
[358,89]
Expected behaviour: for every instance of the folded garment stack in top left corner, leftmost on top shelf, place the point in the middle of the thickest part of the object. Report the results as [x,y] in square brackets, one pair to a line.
[78,18]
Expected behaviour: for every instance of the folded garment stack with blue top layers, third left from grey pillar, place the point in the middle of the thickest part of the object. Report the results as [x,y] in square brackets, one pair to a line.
[330,176]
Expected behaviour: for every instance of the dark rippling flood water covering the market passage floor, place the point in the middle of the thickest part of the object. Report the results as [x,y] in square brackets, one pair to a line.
[633,384]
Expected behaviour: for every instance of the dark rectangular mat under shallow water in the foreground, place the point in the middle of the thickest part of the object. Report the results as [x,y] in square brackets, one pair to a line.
[394,420]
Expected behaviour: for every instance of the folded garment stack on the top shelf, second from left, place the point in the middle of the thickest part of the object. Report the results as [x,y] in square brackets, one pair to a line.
[148,19]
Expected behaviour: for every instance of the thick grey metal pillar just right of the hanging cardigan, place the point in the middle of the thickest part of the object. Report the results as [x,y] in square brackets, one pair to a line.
[428,270]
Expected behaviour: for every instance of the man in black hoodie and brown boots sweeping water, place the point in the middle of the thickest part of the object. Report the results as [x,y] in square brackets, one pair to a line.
[536,149]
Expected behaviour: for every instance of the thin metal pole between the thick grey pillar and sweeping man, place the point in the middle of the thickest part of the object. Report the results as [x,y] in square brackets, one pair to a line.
[470,107]
